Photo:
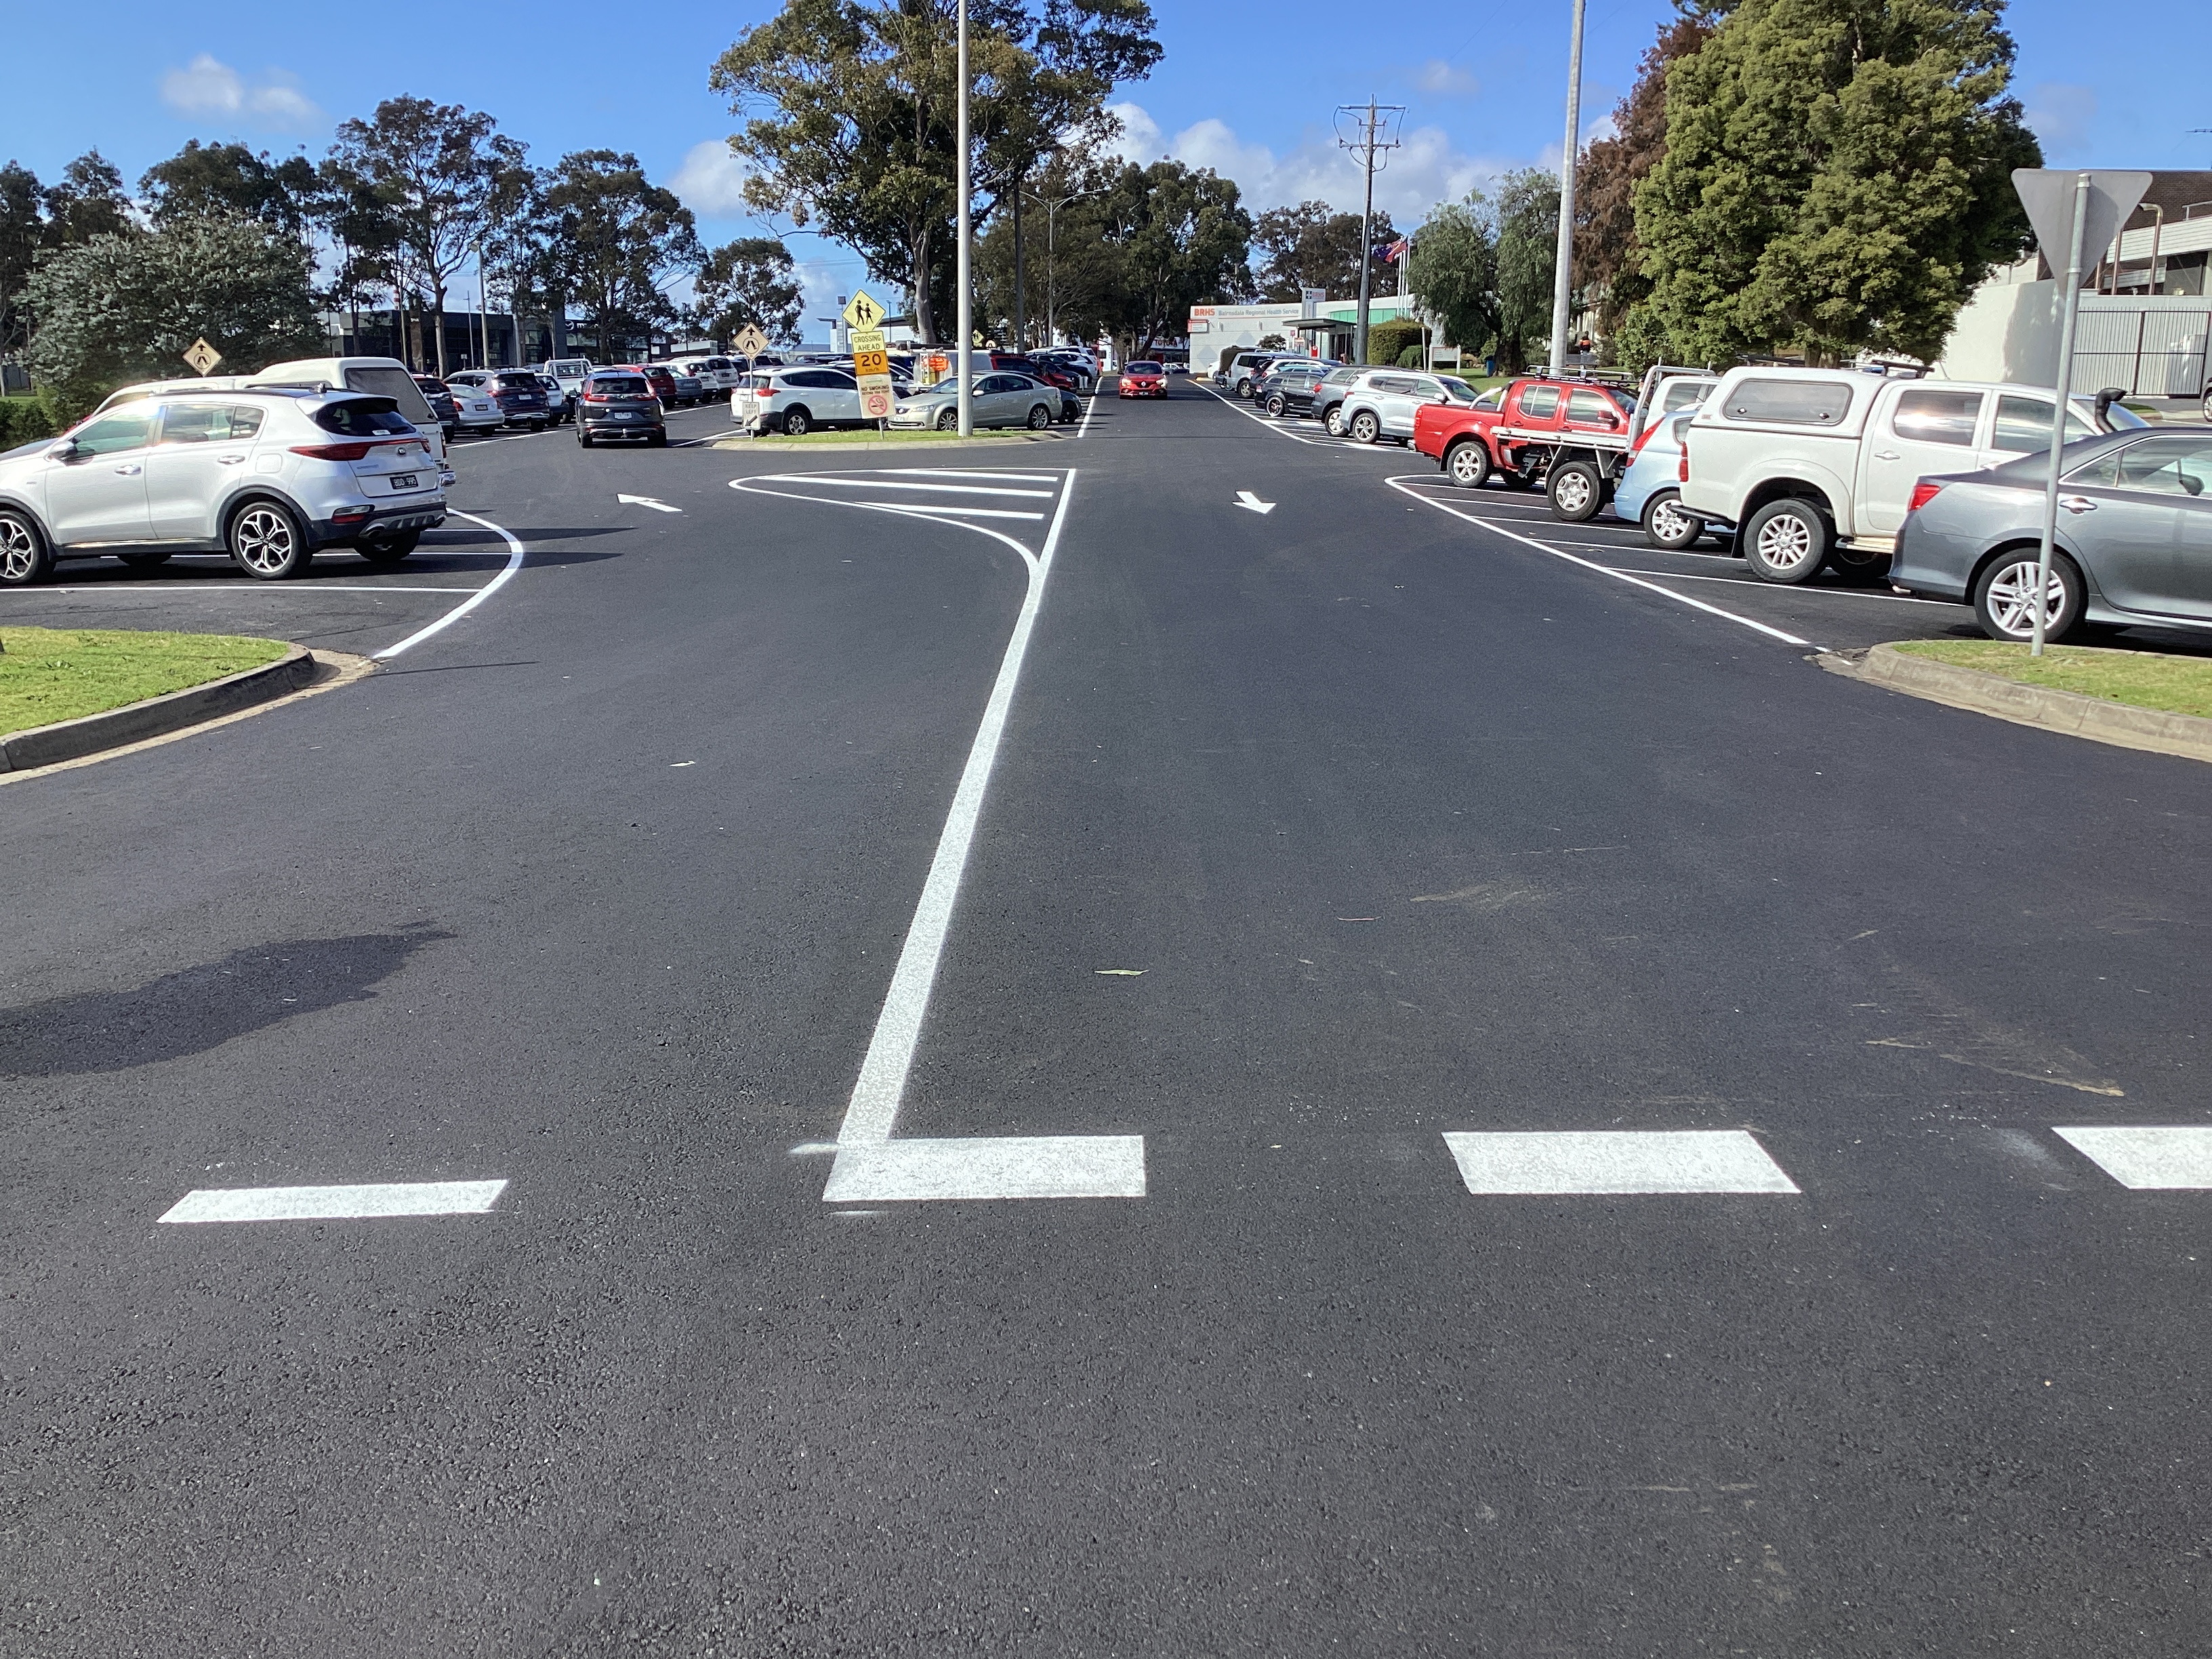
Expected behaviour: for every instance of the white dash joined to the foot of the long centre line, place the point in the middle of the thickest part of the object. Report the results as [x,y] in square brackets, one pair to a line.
[990,1167]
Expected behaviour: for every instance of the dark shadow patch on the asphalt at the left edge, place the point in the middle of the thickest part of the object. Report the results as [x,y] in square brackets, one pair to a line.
[200,1008]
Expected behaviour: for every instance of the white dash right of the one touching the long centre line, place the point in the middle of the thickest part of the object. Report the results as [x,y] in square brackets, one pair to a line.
[1561,1162]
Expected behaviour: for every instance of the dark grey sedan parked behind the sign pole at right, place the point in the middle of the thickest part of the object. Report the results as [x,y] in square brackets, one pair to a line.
[2133,541]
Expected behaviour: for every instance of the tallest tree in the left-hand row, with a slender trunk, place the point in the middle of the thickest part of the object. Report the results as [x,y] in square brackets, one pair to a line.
[441,176]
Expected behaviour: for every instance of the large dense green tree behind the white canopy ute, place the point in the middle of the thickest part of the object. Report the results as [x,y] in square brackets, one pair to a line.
[1835,178]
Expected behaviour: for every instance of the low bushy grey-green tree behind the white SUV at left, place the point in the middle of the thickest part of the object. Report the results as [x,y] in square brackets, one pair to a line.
[127,306]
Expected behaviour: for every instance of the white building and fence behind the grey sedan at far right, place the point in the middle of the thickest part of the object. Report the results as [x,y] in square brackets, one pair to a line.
[2145,324]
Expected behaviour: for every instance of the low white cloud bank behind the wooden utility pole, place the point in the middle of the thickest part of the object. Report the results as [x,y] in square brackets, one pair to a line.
[1415,178]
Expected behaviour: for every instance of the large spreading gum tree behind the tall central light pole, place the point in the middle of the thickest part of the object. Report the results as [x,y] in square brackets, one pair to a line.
[853,114]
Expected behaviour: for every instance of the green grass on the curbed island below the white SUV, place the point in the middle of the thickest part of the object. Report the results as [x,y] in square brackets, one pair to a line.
[61,674]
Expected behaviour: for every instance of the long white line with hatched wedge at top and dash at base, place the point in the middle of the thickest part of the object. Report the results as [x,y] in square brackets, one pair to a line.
[873,1167]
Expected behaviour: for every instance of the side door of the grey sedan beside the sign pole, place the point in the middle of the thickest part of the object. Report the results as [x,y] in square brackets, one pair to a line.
[2142,519]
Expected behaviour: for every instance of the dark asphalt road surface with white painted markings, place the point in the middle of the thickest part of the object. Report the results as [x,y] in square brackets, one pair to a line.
[997,1052]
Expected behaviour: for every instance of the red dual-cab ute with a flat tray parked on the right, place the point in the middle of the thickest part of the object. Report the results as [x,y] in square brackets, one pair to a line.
[1569,437]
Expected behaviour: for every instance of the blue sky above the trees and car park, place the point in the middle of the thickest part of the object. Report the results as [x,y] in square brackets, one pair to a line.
[1246,87]
